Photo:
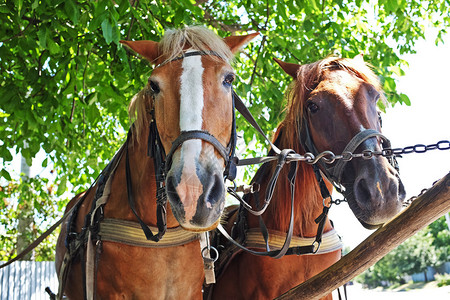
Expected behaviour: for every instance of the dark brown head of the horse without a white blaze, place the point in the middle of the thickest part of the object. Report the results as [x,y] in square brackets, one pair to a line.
[337,106]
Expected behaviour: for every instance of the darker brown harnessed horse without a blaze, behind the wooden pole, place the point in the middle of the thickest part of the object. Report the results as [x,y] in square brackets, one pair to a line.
[332,101]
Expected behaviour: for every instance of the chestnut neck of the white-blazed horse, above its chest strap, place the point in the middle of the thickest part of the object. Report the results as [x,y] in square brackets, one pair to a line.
[142,171]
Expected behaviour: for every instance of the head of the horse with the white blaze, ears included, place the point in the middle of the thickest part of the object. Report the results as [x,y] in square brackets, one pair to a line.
[191,102]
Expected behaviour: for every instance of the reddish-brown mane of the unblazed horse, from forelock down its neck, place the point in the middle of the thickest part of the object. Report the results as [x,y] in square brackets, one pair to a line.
[288,133]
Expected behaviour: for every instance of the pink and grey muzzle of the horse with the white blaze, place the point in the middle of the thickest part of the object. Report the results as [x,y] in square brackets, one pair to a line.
[195,188]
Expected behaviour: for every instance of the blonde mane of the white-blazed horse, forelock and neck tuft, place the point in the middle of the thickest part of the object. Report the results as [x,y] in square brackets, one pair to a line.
[172,45]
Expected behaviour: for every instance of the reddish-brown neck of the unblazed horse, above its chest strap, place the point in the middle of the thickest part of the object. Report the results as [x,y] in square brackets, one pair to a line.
[307,198]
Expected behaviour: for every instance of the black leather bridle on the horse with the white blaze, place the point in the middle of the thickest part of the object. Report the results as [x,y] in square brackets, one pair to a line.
[163,161]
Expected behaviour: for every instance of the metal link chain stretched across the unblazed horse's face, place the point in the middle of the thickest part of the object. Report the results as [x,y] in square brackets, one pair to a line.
[329,157]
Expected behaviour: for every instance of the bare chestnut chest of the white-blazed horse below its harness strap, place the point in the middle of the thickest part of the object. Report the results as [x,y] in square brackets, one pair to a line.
[130,272]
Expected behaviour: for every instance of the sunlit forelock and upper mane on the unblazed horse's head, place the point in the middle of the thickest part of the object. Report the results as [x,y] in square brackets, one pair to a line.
[308,78]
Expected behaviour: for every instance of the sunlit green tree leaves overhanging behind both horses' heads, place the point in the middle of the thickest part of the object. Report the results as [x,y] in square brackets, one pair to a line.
[67,81]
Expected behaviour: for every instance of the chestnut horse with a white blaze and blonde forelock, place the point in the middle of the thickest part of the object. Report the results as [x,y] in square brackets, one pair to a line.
[186,111]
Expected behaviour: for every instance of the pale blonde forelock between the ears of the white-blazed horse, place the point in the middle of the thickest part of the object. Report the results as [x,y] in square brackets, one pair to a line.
[176,41]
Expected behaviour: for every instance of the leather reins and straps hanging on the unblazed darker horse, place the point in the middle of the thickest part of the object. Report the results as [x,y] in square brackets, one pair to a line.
[332,173]
